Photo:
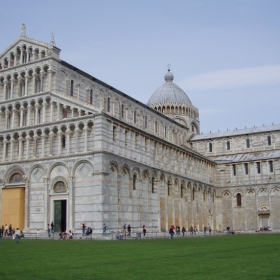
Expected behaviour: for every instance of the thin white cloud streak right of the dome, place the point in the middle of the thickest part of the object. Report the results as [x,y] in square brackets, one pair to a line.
[232,78]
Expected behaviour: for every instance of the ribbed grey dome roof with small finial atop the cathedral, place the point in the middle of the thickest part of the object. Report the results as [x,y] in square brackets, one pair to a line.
[169,92]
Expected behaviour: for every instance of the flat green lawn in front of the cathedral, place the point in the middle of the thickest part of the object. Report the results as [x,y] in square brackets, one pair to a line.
[217,257]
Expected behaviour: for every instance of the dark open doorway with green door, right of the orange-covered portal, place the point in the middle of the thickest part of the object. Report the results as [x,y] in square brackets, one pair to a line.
[60,211]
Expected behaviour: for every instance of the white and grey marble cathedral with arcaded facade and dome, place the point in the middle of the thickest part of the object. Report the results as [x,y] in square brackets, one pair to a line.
[75,150]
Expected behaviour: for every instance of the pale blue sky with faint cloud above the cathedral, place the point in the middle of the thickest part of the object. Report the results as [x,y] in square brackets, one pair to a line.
[224,54]
